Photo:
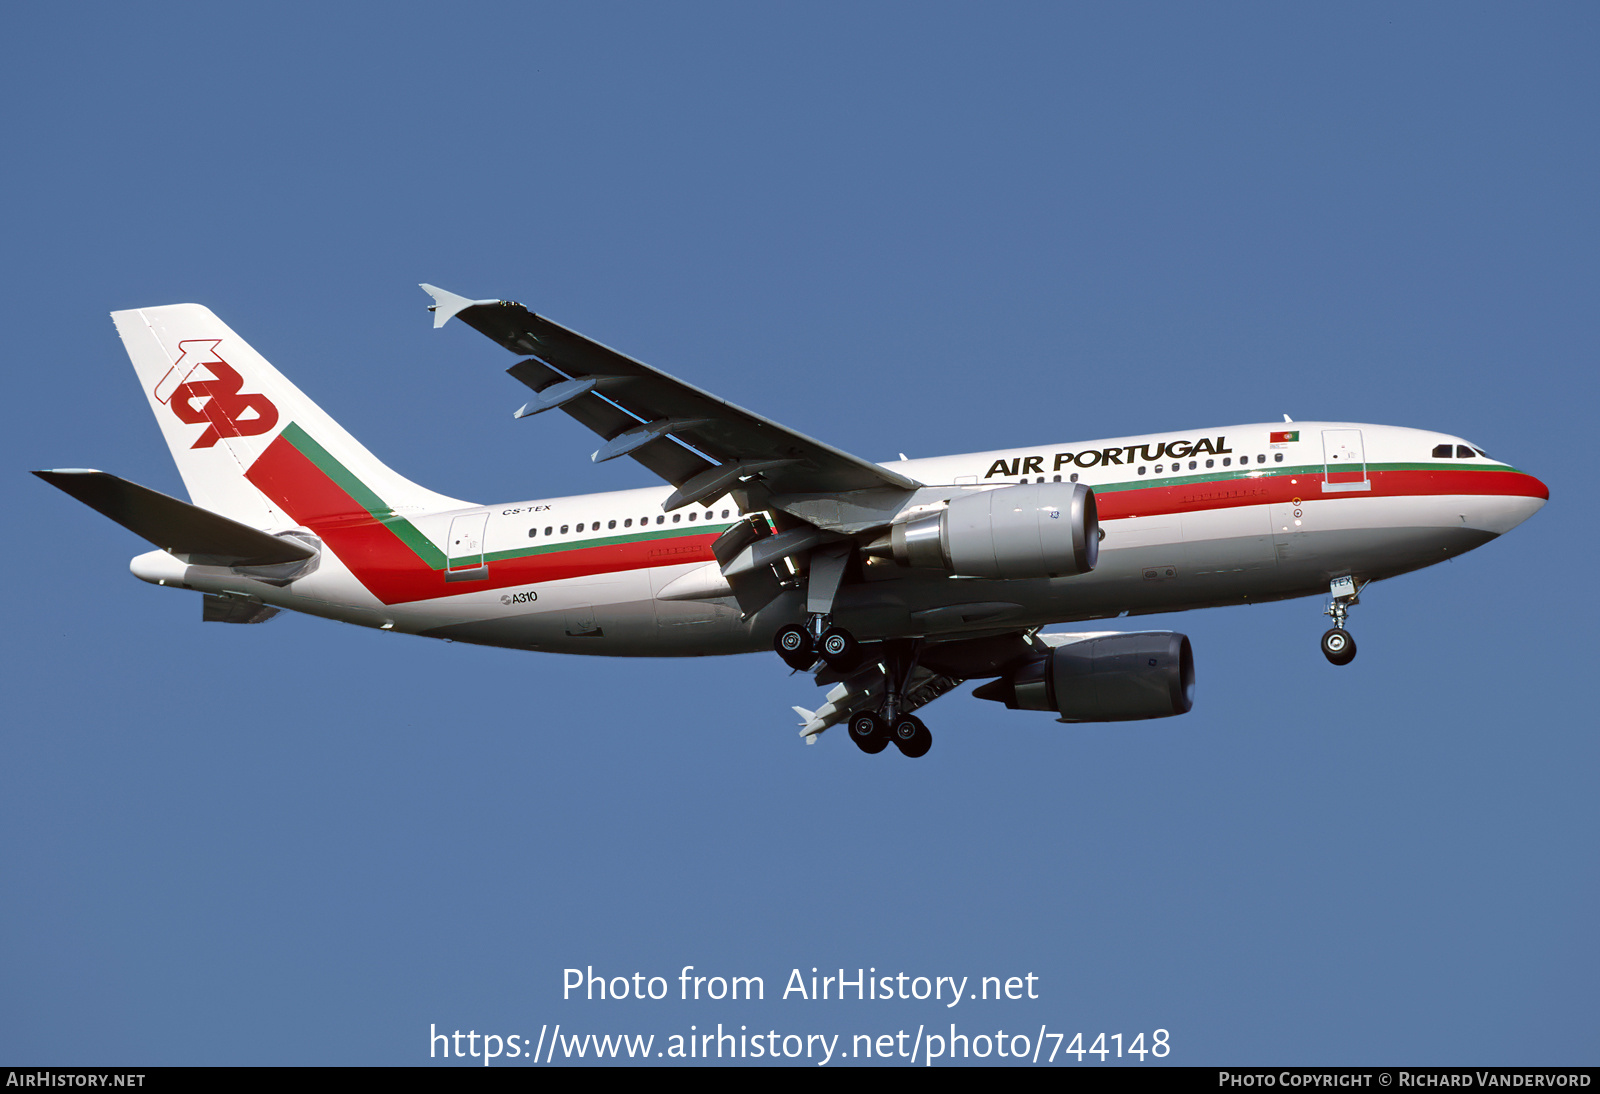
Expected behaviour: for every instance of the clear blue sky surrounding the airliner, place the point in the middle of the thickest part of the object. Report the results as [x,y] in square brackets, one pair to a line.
[897,228]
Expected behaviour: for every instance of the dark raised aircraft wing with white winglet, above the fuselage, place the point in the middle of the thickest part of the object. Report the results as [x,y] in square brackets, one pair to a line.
[700,444]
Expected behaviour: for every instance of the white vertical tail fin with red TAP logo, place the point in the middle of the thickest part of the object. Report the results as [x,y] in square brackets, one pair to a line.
[247,442]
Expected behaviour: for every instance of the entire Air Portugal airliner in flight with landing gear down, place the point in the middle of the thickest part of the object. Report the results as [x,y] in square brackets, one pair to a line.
[890,583]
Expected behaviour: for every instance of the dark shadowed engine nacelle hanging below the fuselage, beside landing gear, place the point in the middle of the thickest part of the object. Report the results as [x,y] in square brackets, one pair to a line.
[1105,679]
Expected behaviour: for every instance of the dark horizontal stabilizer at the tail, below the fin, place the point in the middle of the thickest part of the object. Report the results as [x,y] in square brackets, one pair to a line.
[175,525]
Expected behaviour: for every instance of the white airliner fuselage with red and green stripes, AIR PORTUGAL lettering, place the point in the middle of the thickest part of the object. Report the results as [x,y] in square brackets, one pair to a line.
[1191,521]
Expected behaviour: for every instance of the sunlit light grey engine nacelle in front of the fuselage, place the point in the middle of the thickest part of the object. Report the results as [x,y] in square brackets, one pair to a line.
[1039,530]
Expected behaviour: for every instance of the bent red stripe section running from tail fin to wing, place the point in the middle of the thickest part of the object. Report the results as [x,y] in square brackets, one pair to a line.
[393,572]
